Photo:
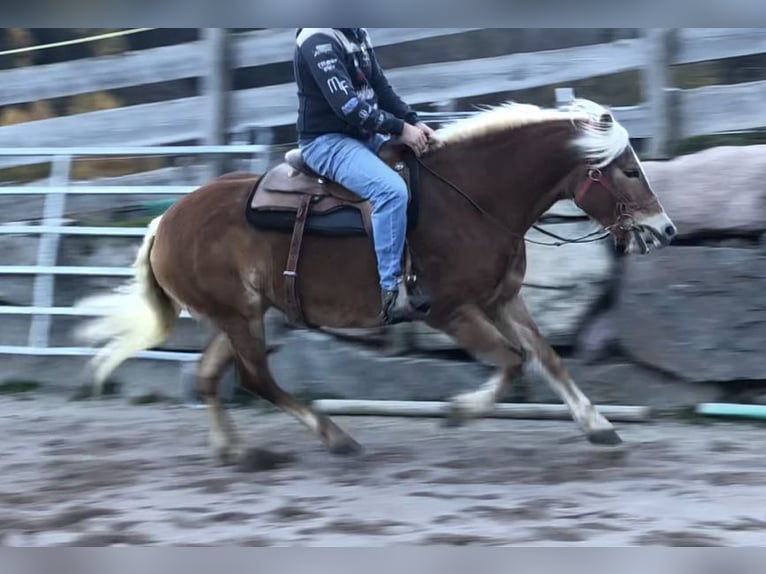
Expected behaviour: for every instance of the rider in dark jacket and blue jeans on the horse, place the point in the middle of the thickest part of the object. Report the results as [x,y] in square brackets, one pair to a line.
[347,111]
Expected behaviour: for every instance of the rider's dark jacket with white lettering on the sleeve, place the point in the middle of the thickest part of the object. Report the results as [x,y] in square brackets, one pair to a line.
[341,87]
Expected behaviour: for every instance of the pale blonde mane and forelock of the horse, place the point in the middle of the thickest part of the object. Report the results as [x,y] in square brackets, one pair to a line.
[598,141]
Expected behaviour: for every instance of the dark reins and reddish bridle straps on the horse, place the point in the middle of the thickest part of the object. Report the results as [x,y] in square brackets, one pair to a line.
[623,218]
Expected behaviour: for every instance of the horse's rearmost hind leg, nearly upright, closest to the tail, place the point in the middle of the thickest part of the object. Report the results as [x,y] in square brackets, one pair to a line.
[217,356]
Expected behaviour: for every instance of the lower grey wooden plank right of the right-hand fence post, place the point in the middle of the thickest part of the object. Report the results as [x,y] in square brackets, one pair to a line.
[725,108]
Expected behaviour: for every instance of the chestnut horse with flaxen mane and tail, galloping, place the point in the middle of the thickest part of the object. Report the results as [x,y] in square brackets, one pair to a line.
[484,182]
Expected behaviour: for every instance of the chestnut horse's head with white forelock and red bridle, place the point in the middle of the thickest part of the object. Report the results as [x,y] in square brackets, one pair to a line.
[612,188]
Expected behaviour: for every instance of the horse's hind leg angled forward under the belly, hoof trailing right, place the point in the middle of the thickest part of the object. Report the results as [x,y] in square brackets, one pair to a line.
[248,340]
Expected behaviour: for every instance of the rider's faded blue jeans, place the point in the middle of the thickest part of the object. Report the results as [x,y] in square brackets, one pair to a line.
[355,165]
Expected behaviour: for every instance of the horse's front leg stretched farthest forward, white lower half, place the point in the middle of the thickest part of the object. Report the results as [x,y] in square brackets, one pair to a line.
[542,362]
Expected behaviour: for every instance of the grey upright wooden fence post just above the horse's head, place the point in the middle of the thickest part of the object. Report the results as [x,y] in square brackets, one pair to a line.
[659,93]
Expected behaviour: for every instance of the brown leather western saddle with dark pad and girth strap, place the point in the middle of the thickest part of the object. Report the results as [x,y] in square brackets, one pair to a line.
[291,196]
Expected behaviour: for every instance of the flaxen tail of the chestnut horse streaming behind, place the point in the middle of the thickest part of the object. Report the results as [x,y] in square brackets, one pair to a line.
[134,317]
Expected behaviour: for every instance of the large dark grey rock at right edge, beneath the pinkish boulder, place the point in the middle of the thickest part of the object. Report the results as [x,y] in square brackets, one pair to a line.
[697,312]
